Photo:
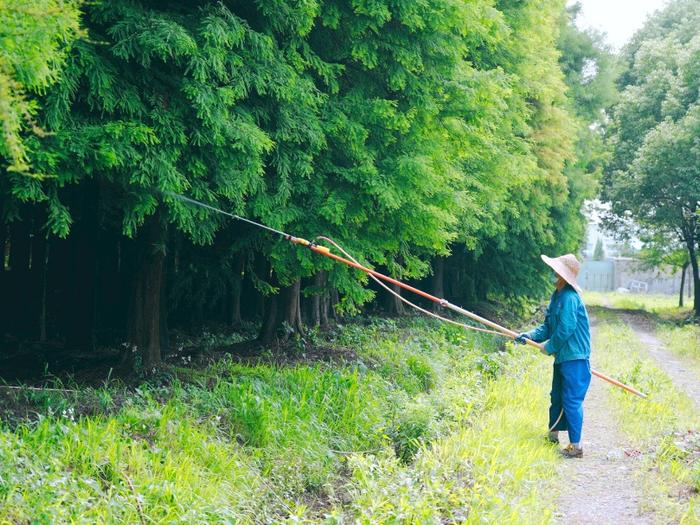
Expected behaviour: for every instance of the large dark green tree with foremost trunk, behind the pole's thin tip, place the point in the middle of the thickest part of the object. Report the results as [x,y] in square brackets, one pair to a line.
[185,98]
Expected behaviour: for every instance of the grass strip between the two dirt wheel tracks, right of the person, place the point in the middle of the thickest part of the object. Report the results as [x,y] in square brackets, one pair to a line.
[666,425]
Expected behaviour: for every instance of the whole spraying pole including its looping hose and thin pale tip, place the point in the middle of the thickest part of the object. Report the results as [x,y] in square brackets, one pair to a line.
[382,279]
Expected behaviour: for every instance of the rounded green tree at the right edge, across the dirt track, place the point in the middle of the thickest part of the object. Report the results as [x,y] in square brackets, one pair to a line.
[654,175]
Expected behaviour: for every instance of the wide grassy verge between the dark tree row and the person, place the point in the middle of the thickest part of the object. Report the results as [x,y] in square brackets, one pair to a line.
[425,424]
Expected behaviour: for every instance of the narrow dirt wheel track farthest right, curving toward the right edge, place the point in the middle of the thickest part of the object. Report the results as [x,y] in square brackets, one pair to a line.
[684,377]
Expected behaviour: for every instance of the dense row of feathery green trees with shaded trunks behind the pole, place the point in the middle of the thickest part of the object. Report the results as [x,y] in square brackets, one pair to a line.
[436,136]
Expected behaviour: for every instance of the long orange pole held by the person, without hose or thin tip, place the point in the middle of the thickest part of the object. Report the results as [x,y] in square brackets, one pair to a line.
[505,331]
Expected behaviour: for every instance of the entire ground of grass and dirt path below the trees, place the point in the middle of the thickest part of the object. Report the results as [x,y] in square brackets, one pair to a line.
[379,421]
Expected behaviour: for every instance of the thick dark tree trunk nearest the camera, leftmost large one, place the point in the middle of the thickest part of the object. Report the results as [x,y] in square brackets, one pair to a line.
[144,323]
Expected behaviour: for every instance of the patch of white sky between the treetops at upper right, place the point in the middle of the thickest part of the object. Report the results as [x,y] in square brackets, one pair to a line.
[619,19]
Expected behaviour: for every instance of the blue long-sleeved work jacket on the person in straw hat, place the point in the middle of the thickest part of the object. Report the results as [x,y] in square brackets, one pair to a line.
[565,327]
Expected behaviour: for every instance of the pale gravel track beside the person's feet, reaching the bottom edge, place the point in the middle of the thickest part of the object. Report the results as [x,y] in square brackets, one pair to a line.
[599,489]
